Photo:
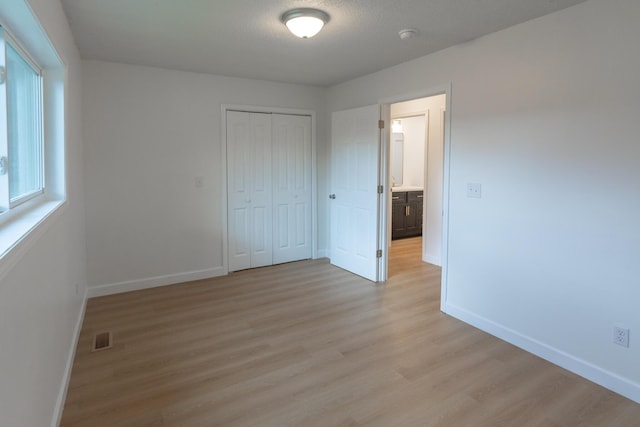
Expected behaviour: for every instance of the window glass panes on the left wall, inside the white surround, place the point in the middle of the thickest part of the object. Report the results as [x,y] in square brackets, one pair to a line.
[21,139]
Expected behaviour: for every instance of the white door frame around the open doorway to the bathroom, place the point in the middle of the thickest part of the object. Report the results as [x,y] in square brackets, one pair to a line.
[384,179]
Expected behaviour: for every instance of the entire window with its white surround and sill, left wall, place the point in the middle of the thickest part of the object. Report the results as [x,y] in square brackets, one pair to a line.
[32,132]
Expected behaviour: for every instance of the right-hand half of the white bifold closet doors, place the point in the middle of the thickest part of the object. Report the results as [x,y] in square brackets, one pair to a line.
[291,148]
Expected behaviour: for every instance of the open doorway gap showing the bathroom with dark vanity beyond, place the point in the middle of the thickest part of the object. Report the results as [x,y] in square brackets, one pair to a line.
[416,178]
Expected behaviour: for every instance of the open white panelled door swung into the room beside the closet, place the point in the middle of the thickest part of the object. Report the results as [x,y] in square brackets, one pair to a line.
[355,156]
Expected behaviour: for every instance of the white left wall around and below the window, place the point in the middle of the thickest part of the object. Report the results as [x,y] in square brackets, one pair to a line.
[39,306]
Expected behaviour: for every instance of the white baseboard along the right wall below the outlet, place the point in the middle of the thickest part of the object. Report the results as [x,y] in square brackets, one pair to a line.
[596,374]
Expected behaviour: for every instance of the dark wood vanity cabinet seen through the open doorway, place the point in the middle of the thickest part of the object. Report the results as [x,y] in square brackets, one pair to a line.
[406,214]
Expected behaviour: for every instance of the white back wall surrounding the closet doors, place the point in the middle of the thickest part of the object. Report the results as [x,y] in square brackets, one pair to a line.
[149,132]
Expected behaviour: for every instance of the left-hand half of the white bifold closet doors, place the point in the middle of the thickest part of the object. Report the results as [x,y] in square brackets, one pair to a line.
[249,190]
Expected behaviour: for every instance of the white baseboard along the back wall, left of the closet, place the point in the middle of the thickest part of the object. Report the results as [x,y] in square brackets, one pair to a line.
[154,282]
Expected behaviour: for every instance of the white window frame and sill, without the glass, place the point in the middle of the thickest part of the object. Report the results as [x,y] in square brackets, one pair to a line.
[28,218]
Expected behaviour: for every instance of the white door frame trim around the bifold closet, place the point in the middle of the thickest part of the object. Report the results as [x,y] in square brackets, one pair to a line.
[223,172]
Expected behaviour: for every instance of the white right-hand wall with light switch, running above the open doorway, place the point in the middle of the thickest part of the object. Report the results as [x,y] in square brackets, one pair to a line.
[545,116]
